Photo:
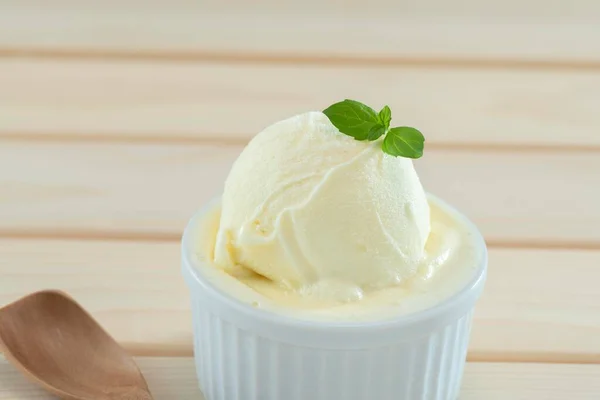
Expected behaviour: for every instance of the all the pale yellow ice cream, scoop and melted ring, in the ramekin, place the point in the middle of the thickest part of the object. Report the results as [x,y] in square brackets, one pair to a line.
[316,223]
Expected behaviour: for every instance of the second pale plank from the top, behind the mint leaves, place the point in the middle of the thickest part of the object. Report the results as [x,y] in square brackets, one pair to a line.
[129,100]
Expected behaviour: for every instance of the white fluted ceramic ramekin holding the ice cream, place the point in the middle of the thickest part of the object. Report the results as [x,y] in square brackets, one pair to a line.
[247,353]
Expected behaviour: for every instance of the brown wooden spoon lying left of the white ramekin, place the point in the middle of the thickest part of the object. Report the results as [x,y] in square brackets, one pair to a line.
[59,346]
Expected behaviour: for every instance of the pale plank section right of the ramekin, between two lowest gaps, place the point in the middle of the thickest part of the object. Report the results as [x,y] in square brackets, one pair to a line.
[539,305]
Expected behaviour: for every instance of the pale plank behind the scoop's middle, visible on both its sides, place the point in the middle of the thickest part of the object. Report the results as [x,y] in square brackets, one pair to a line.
[523,198]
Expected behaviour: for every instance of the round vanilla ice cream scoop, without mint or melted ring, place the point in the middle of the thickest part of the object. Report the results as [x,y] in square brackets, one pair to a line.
[320,213]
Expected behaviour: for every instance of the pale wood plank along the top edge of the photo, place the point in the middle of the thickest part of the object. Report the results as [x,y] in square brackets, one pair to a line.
[532,30]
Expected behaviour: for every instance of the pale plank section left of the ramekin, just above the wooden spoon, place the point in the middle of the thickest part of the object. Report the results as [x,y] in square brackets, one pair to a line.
[133,289]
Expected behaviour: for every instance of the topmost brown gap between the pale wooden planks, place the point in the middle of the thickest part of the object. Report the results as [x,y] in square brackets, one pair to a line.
[294,59]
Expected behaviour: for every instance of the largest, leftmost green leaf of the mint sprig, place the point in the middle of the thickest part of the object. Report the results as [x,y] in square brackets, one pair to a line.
[352,118]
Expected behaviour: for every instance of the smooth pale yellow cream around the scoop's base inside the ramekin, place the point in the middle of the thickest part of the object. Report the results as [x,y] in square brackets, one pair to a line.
[452,255]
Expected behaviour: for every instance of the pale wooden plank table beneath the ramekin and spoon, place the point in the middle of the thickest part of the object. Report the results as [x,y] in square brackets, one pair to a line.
[119,119]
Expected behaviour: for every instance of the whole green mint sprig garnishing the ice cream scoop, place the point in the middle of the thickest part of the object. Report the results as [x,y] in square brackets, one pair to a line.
[355,119]
